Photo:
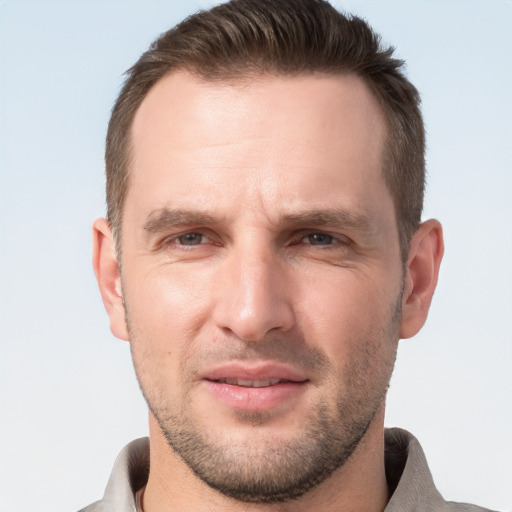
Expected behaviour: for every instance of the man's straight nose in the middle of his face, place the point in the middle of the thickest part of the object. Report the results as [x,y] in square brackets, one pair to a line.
[253,294]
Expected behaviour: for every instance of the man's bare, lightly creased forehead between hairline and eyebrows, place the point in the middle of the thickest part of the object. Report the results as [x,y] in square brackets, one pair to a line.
[273,139]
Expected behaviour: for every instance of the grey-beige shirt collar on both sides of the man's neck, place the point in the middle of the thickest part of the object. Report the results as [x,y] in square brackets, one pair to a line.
[408,476]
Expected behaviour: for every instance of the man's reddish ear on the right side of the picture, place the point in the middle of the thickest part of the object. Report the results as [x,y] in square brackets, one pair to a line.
[421,272]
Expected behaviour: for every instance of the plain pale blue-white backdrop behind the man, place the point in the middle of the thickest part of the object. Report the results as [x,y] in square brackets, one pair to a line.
[69,400]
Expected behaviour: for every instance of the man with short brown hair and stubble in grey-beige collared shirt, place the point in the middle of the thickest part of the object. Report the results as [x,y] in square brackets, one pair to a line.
[263,254]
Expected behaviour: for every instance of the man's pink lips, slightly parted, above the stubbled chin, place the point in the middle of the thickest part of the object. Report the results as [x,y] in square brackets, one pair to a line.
[256,399]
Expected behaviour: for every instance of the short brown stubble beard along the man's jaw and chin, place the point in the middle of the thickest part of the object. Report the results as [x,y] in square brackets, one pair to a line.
[279,470]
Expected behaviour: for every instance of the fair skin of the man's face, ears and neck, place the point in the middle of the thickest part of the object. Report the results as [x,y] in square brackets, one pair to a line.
[263,241]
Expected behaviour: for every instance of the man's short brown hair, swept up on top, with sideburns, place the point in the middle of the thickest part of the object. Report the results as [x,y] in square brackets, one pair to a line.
[242,38]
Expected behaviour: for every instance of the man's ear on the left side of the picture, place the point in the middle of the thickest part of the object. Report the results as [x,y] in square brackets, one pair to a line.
[108,276]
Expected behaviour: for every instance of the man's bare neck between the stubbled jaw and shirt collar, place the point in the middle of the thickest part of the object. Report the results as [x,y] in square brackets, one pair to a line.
[359,486]
